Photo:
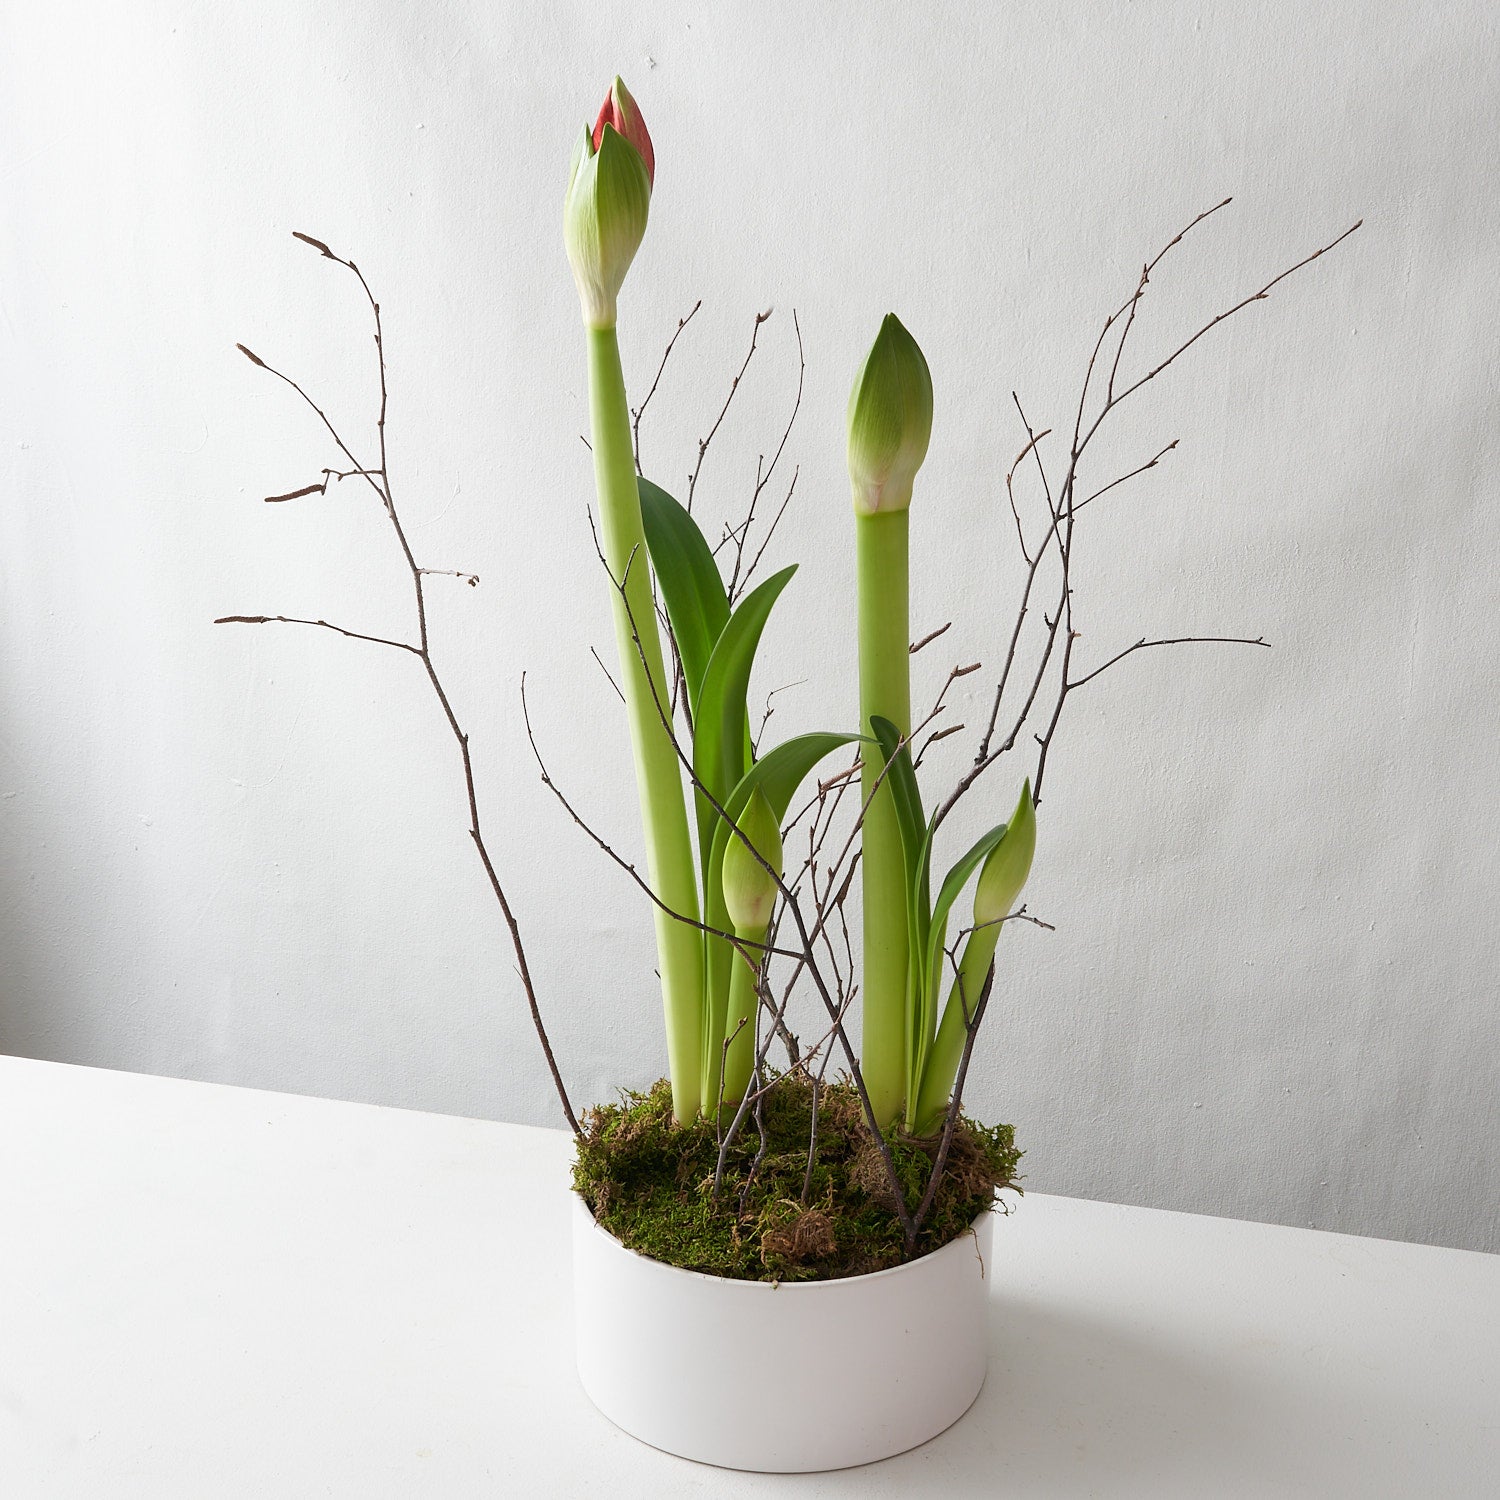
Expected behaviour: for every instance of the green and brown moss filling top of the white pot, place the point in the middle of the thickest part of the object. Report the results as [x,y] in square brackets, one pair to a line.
[650,1184]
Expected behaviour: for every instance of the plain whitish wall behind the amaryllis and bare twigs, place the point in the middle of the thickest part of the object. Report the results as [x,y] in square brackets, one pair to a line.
[239,854]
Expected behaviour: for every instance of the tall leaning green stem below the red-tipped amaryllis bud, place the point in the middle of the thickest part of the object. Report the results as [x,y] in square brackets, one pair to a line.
[659,781]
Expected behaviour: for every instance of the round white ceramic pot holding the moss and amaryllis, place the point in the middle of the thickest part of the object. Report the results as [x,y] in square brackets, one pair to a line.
[781,1378]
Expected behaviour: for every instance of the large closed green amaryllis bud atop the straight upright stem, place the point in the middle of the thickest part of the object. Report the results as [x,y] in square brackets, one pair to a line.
[890,421]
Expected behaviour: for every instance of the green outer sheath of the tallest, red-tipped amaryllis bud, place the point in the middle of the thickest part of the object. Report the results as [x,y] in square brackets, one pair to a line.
[604,220]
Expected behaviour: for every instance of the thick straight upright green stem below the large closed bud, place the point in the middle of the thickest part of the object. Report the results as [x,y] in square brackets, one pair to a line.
[886,691]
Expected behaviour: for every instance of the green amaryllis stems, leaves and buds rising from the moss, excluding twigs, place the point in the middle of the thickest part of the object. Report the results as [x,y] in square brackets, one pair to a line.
[713,916]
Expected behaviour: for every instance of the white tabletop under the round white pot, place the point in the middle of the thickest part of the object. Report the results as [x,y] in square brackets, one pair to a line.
[221,1294]
